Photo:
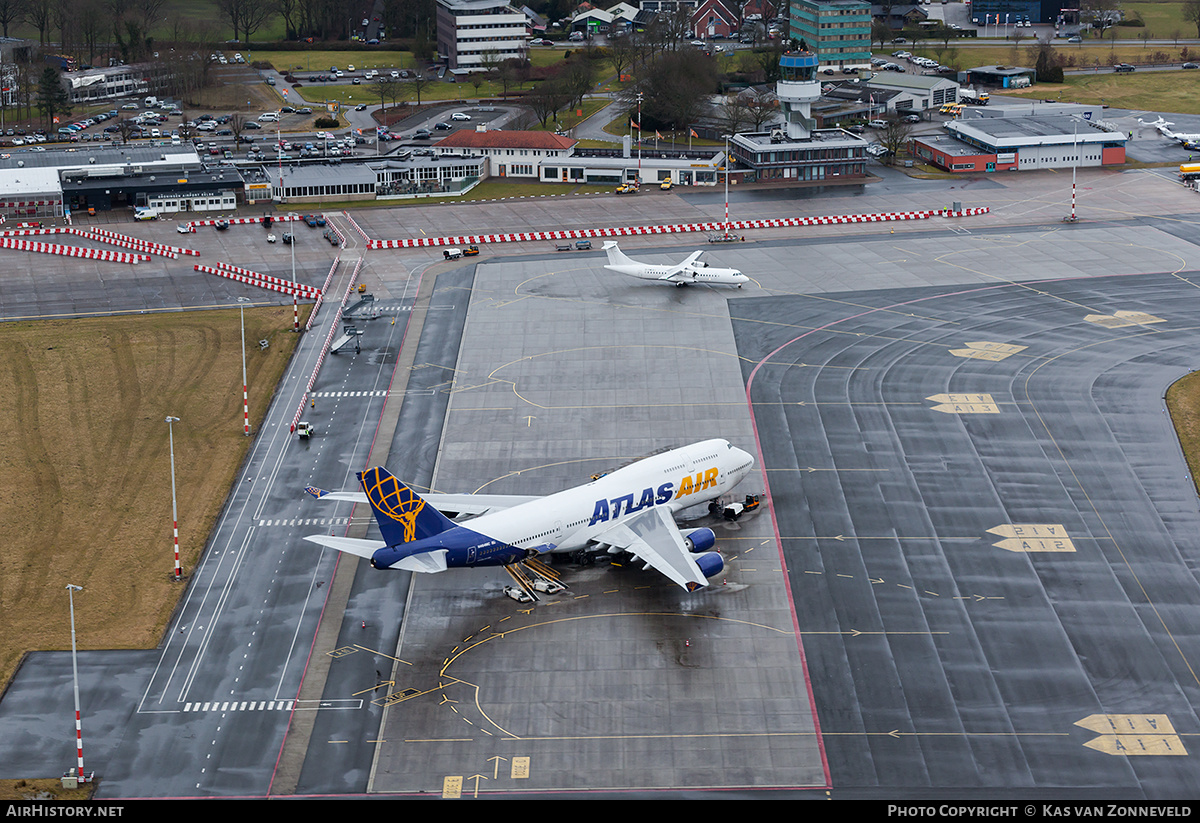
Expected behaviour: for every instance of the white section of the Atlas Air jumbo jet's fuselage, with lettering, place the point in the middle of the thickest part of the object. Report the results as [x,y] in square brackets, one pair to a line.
[575,518]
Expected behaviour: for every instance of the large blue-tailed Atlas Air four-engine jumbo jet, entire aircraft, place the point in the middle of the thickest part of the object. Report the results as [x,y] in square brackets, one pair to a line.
[628,510]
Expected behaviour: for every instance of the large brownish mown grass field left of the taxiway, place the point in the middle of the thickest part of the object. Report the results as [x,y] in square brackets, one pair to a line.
[87,466]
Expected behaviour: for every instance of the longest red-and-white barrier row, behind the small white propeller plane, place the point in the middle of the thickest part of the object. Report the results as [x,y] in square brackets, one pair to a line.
[677,229]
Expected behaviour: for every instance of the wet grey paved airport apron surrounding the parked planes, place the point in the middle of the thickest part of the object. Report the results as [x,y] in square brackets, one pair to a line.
[915,393]
